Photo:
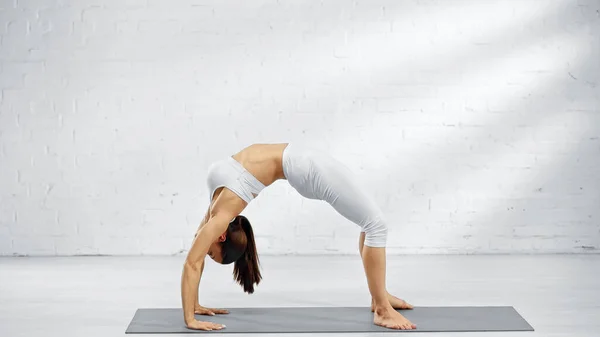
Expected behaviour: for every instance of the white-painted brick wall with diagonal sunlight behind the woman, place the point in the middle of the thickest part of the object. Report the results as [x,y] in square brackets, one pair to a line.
[475,124]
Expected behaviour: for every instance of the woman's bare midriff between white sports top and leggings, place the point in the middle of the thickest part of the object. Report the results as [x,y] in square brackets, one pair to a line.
[263,161]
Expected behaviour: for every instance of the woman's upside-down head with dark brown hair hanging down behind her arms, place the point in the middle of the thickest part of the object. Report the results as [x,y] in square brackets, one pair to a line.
[239,247]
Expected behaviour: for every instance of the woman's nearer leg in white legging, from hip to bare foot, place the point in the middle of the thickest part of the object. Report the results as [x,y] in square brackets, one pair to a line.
[318,176]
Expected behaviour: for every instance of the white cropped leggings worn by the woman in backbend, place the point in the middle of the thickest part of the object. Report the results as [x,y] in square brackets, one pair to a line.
[316,175]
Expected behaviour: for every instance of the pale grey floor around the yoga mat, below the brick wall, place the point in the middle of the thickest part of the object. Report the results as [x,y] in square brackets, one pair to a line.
[97,296]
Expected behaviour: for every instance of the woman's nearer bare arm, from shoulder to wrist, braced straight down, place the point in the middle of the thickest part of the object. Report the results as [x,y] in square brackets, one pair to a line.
[194,263]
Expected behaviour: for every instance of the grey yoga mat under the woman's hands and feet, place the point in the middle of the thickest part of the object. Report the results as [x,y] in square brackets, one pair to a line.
[332,319]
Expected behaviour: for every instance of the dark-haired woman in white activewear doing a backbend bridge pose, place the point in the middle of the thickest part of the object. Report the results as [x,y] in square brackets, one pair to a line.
[234,182]
